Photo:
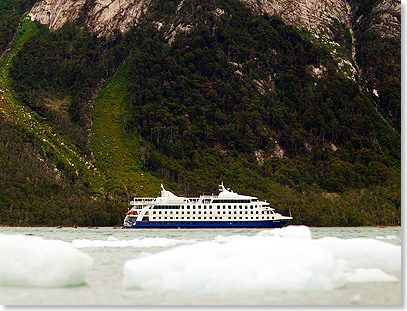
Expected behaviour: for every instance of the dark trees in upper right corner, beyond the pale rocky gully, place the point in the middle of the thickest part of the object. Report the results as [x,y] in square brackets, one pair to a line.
[380,60]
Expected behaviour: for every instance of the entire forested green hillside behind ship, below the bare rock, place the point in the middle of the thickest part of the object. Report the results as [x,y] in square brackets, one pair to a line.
[236,97]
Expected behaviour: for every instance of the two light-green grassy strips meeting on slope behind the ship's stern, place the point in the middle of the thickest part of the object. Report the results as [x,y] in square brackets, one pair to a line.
[117,167]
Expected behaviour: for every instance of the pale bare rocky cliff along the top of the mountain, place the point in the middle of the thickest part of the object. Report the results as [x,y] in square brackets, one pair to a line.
[322,18]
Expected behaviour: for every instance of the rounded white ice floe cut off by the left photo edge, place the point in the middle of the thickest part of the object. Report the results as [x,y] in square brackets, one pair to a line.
[27,261]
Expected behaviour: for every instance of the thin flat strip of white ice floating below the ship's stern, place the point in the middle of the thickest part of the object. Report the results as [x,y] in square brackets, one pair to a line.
[114,242]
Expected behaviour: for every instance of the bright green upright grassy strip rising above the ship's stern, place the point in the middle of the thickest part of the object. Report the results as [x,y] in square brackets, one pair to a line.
[117,152]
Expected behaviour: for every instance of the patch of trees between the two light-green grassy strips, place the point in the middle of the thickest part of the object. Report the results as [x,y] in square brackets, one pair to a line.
[57,74]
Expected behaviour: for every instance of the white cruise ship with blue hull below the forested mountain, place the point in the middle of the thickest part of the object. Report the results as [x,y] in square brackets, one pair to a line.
[225,210]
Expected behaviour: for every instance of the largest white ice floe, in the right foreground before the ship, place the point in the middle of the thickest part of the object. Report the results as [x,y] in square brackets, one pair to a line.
[285,259]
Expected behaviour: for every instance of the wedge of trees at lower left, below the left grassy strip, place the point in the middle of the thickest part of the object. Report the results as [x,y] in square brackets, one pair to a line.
[35,191]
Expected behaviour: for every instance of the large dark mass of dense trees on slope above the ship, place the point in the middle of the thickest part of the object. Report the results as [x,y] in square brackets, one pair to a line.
[242,84]
